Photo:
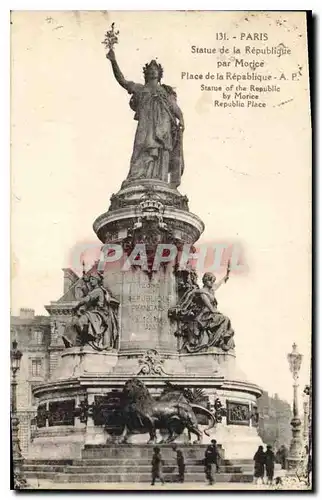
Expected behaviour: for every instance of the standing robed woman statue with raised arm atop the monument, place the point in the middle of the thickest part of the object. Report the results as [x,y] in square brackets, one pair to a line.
[157,151]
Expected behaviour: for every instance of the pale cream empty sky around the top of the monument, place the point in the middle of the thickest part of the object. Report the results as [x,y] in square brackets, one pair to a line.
[247,172]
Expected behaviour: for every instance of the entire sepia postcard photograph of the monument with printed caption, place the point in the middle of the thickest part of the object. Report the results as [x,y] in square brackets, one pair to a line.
[161,250]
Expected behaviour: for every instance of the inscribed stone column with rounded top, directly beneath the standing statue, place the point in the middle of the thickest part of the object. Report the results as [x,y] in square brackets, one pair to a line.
[147,213]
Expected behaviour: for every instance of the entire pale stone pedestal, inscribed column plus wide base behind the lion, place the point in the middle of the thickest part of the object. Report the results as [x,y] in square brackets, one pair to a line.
[149,213]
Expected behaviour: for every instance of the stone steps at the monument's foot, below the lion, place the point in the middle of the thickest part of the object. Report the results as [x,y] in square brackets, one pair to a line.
[132,464]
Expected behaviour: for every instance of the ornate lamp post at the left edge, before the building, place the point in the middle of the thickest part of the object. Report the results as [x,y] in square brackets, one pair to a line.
[17,458]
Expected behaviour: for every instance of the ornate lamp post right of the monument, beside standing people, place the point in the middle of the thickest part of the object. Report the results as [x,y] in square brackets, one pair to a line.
[295,454]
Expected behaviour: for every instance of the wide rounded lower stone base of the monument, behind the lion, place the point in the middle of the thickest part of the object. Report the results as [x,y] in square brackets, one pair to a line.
[86,377]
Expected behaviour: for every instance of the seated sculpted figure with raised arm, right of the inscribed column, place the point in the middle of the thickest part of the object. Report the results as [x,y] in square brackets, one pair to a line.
[200,324]
